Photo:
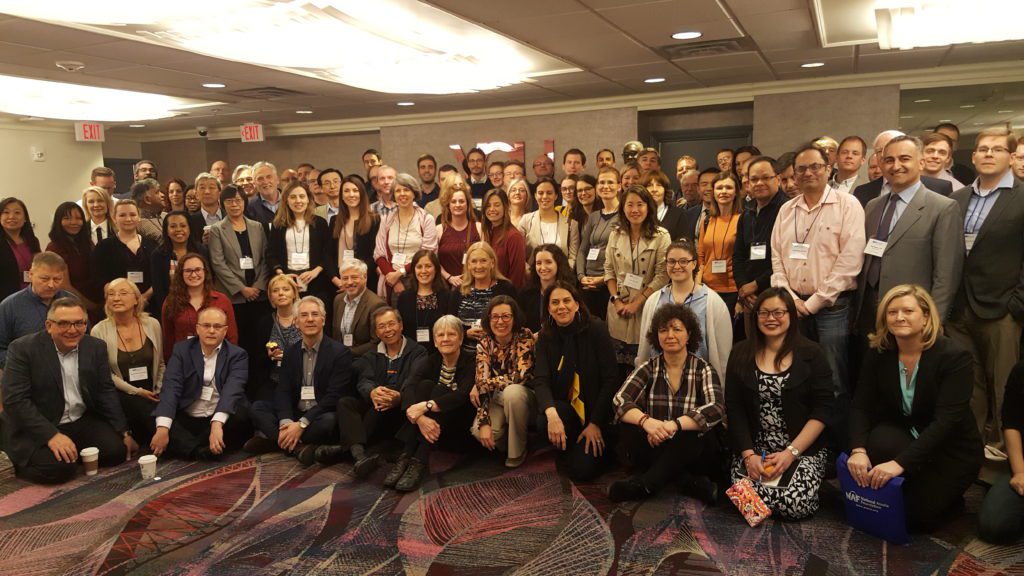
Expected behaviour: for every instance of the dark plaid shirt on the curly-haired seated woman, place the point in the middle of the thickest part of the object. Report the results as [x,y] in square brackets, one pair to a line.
[700,396]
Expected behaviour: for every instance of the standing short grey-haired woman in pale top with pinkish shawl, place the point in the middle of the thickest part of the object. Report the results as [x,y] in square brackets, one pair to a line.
[402,234]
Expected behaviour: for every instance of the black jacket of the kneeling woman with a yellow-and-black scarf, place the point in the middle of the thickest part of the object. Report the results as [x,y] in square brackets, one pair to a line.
[596,364]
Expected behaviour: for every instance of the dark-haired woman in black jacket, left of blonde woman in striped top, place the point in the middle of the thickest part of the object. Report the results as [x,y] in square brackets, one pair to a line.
[426,300]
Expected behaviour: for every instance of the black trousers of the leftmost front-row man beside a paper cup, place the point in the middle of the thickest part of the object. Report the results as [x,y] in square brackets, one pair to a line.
[90,431]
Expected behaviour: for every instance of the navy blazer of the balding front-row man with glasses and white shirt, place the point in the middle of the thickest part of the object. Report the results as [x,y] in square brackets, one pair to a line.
[184,379]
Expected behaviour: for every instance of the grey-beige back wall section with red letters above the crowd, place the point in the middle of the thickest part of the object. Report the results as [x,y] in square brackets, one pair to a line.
[589,132]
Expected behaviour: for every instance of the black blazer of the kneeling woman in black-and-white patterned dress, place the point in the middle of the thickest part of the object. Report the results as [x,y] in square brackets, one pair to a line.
[807,395]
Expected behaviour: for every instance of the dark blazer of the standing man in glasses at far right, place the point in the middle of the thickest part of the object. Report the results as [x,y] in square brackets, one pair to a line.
[993,283]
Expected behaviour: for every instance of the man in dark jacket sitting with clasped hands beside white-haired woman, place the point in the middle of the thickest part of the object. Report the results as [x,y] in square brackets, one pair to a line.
[374,413]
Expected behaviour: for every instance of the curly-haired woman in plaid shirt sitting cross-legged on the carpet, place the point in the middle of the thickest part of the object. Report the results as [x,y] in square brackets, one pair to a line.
[672,407]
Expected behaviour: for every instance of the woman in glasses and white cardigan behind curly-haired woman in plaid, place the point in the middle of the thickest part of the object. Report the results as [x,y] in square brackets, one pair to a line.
[713,315]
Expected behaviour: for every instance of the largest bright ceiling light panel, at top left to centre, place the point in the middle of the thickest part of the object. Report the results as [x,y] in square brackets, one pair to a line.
[394,47]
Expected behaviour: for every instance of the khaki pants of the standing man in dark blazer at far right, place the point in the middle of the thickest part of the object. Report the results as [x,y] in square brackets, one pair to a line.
[996,348]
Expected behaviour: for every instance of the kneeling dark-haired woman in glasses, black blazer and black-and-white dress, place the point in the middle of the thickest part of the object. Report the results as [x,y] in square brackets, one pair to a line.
[779,395]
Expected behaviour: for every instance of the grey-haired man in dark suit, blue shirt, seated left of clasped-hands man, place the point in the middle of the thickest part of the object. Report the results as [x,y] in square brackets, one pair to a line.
[315,374]
